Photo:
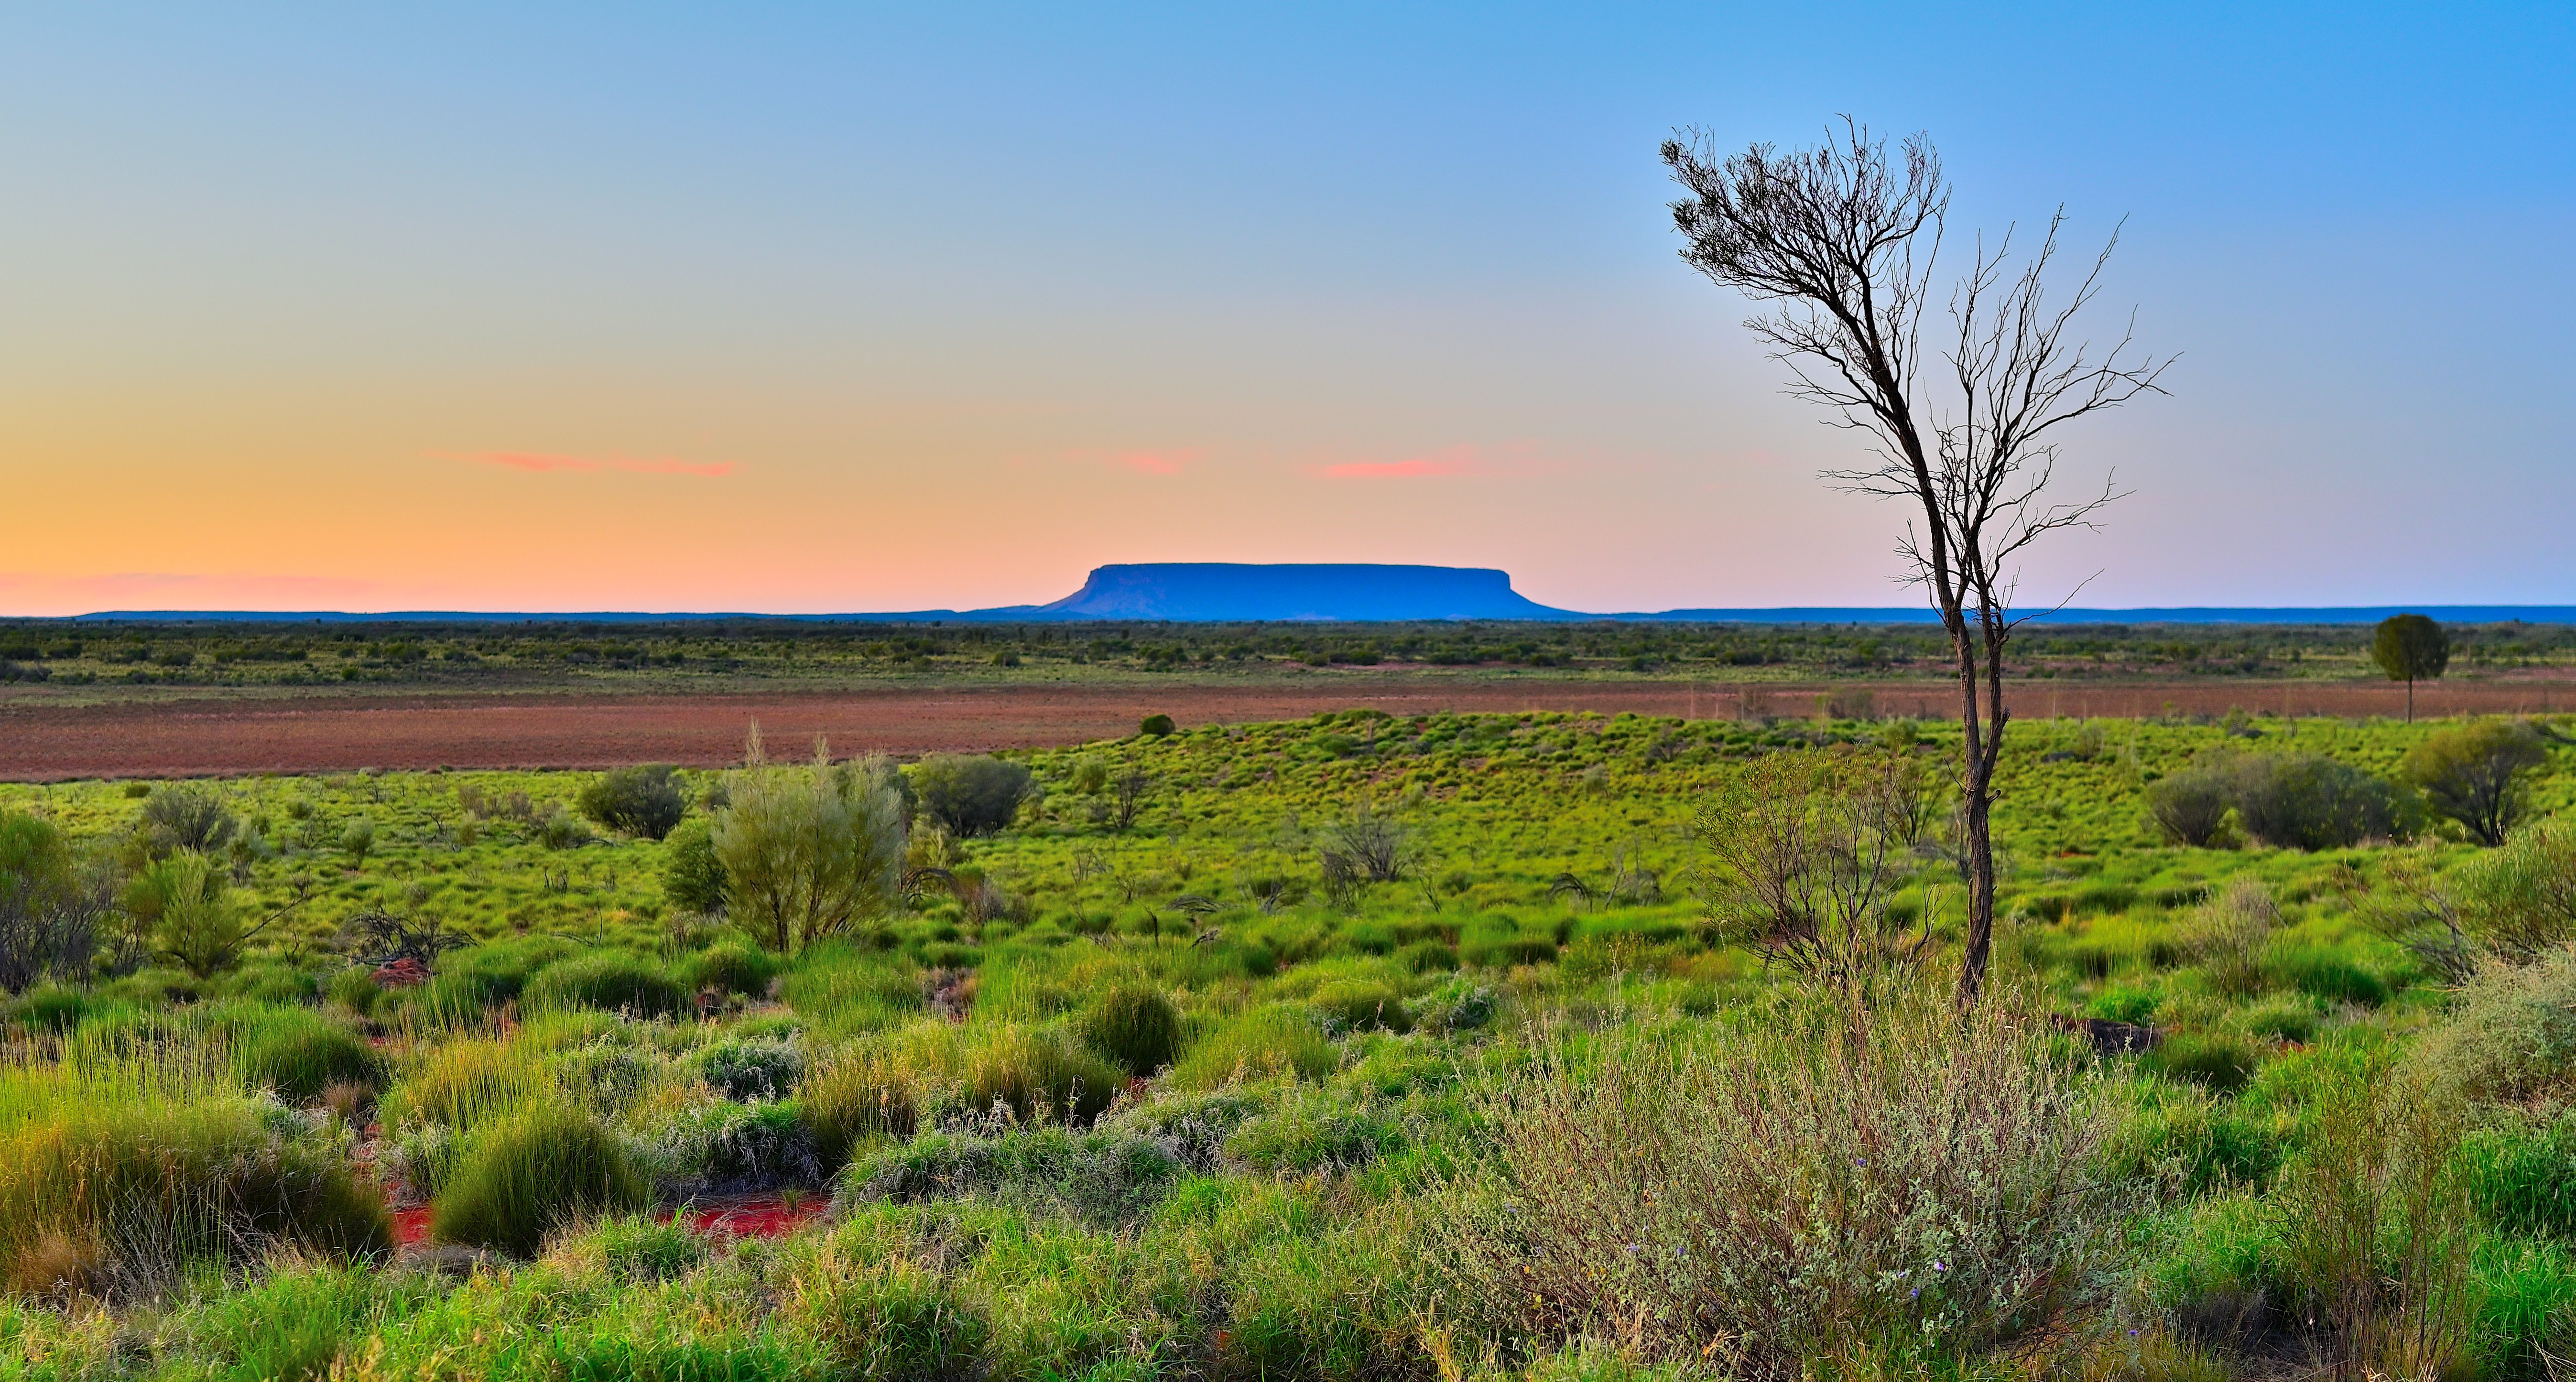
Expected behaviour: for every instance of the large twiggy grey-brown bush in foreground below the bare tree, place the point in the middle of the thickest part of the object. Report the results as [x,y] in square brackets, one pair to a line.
[1882,1185]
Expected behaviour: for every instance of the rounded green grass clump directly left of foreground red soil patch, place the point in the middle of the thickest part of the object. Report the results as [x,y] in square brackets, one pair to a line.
[535,1172]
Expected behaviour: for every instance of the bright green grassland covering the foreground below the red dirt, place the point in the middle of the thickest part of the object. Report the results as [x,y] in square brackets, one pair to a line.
[1166,1100]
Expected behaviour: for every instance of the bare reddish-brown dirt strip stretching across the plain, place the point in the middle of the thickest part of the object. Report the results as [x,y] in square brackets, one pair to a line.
[53,742]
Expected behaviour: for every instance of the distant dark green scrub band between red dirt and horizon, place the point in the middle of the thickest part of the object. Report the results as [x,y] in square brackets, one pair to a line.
[81,660]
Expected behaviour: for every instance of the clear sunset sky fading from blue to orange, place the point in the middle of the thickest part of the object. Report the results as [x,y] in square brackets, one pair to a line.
[895,308]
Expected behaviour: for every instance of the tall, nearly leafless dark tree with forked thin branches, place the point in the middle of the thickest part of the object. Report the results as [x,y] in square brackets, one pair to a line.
[1841,246]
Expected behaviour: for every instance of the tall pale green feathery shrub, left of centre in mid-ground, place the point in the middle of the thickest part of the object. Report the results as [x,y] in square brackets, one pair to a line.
[810,851]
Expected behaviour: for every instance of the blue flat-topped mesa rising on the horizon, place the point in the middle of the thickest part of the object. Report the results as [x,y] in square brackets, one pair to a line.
[1227,591]
